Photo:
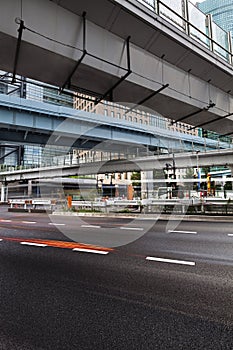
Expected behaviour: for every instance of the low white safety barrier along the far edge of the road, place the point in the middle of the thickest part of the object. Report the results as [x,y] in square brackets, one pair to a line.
[145,206]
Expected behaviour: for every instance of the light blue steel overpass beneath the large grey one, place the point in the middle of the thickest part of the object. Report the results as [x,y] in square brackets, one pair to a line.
[26,121]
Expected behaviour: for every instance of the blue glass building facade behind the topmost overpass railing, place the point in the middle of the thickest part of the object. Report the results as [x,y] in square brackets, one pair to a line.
[221,11]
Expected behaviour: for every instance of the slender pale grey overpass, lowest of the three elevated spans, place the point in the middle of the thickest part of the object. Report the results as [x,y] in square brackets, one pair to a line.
[182,160]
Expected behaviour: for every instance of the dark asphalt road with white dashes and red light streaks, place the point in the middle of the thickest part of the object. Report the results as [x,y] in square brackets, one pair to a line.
[169,287]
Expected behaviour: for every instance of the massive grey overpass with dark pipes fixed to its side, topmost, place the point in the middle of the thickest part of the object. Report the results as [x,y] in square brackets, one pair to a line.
[122,51]
